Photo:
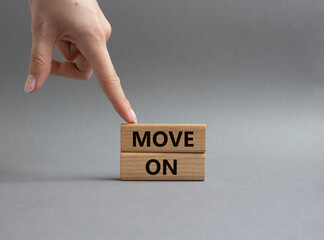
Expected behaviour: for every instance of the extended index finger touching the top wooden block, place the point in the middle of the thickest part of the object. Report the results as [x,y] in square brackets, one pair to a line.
[108,79]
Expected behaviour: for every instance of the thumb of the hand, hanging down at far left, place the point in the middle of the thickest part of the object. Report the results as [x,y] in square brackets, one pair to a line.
[40,61]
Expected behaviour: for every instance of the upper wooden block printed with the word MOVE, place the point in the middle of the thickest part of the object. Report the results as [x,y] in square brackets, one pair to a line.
[163,138]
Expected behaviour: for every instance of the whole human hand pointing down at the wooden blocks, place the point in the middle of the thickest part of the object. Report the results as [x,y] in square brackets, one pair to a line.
[79,30]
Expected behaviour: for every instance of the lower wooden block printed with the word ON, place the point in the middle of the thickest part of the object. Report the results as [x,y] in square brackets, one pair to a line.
[162,166]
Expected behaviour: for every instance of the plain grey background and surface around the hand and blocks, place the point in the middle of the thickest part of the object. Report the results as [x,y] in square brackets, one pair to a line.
[252,70]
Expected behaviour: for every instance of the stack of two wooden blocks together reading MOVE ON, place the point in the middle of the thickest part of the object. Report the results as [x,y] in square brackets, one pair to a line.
[163,152]
